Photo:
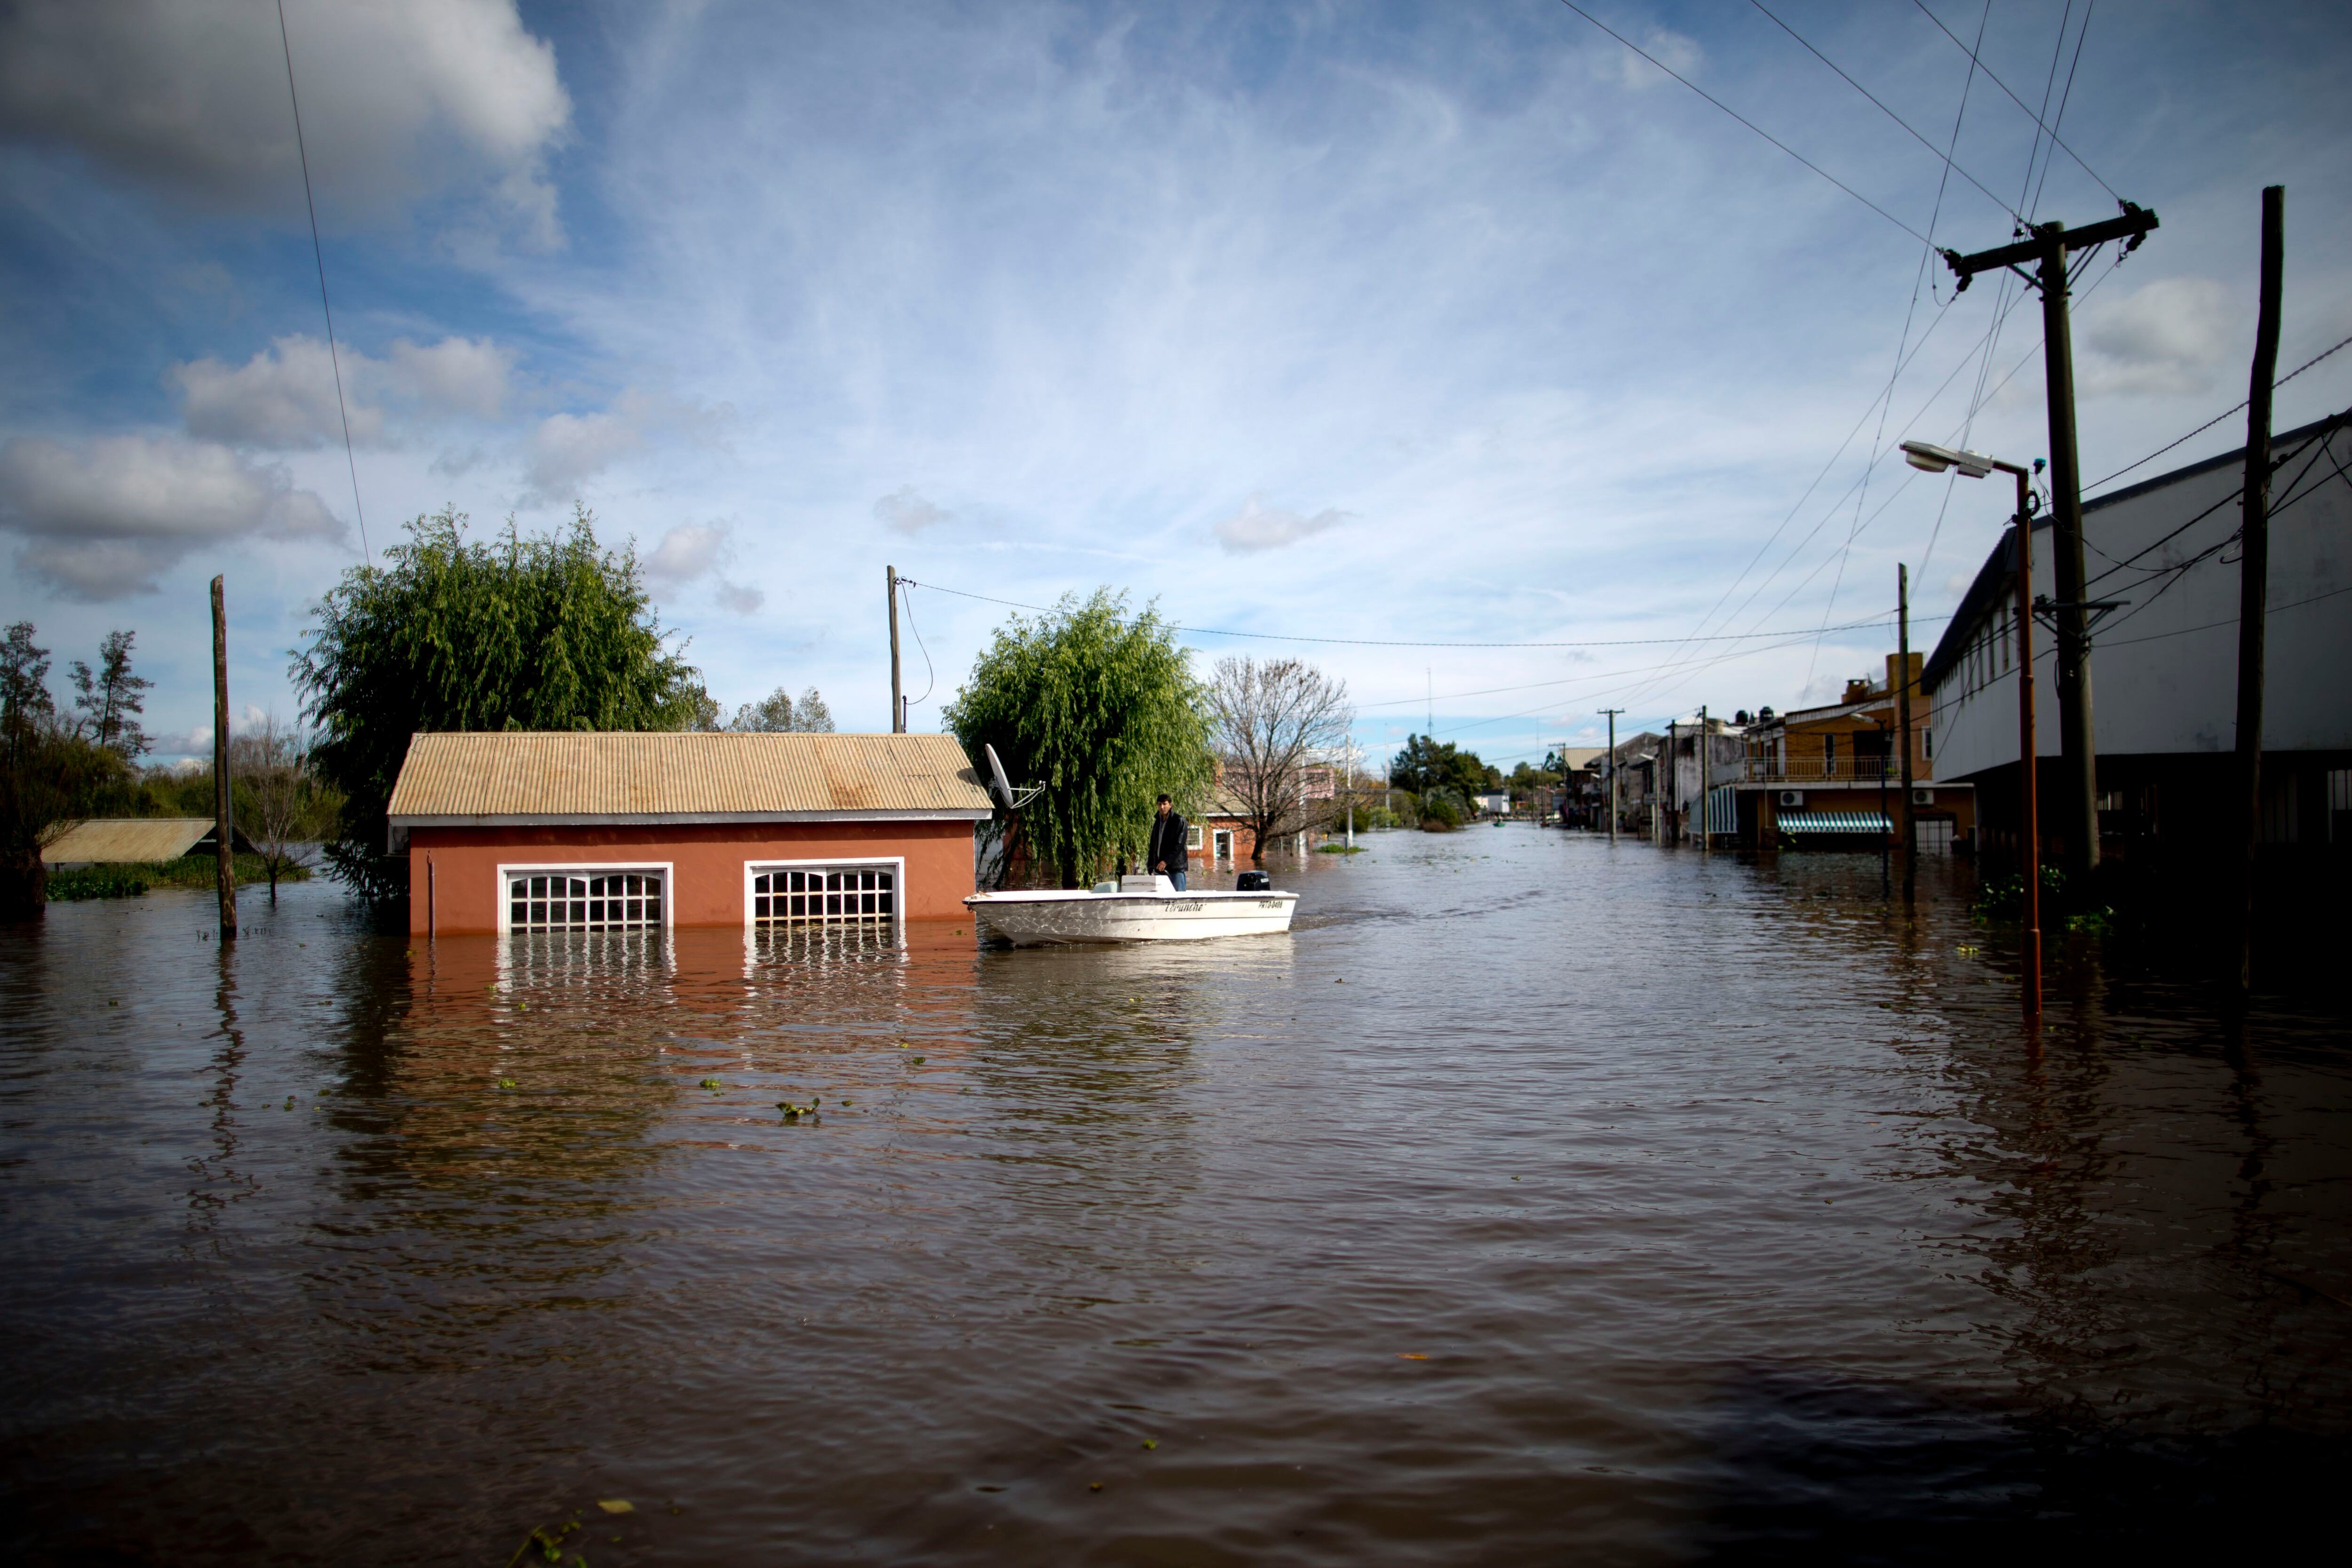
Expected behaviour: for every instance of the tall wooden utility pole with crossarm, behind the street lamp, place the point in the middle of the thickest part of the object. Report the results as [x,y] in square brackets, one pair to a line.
[2047,248]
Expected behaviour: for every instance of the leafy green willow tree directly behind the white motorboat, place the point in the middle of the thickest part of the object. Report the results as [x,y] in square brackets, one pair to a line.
[1100,711]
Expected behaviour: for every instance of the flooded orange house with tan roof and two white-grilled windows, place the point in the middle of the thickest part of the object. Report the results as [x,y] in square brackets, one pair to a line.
[599,831]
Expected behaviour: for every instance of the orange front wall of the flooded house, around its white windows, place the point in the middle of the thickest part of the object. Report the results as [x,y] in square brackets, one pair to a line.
[455,871]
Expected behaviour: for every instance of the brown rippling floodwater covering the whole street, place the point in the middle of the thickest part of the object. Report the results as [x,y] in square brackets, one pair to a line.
[1532,1202]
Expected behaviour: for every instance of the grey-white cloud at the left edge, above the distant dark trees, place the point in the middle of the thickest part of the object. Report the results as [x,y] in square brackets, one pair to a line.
[107,518]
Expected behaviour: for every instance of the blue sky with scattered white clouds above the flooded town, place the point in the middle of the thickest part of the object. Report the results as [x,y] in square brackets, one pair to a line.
[1462,349]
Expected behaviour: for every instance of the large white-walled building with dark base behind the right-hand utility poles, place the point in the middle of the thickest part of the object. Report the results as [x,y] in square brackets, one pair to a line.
[2165,664]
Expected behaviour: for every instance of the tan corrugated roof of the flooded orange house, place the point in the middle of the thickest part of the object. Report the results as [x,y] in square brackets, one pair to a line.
[681,777]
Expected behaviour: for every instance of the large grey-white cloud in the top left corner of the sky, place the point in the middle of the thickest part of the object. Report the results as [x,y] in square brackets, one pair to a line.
[189,98]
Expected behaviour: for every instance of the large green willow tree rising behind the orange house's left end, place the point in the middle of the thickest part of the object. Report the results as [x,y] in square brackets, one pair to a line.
[502,634]
